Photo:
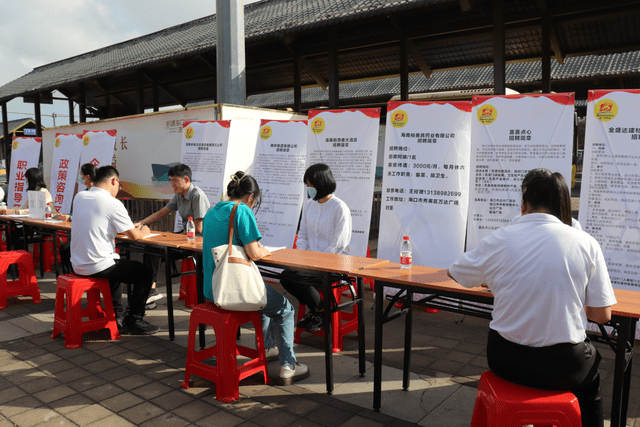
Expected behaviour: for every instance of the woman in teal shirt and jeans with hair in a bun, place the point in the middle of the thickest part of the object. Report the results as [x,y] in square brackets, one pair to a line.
[278,315]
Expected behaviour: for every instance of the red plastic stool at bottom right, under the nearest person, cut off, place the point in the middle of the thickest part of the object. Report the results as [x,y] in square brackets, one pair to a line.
[500,403]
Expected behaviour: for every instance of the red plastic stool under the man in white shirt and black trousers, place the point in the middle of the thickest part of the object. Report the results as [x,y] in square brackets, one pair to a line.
[70,288]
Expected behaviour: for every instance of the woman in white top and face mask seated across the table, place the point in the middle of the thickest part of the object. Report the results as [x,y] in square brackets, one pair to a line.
[325,226]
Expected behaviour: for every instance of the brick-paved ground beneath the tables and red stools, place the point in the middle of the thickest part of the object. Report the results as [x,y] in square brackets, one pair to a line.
[136,380]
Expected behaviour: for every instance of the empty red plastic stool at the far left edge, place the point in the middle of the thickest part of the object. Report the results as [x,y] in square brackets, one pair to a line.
[27,284]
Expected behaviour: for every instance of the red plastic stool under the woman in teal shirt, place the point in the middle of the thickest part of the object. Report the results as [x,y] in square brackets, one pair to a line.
[226,374]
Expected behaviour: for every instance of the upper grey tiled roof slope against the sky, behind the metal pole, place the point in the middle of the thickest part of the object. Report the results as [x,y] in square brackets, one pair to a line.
[264,18]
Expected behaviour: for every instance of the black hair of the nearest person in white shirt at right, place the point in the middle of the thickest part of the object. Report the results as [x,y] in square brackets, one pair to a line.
[551,193]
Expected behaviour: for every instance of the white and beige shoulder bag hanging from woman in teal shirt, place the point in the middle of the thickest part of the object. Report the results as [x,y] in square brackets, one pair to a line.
[236,281]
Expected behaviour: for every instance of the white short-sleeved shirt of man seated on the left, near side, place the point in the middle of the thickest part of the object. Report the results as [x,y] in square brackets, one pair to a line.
[97,218]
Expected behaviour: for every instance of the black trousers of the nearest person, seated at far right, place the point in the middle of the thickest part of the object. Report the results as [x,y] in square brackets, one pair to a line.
[566,366]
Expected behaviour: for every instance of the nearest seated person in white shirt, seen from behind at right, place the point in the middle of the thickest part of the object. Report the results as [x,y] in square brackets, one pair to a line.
[547,279]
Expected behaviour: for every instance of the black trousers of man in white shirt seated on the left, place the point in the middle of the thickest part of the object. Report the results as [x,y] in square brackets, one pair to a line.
[131,272]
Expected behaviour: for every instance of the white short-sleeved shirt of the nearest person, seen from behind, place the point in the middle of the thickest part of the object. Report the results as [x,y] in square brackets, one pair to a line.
[542,274]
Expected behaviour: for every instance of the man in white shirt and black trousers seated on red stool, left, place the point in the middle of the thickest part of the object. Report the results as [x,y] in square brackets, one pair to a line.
[98,217]
